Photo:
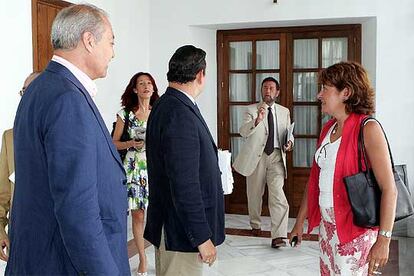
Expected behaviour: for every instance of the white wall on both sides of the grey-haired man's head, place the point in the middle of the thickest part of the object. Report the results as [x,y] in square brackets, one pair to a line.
[130,22]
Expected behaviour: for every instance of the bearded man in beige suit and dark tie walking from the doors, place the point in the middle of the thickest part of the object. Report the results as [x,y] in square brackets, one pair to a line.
[262,159]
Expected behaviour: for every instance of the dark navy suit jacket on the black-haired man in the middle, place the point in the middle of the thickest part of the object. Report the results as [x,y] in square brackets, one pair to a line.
[185,192]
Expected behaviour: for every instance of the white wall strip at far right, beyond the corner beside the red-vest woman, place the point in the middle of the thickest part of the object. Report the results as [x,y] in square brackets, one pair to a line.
[395,75]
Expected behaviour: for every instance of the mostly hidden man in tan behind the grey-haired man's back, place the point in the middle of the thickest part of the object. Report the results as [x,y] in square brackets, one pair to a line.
[6,185]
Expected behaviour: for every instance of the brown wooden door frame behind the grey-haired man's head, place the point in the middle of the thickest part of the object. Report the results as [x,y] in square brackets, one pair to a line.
[35,3]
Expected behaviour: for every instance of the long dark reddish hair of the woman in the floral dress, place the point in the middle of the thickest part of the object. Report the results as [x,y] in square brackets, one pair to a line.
[129,100]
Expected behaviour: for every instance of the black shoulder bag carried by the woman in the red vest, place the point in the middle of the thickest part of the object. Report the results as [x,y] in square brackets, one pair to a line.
[364,193]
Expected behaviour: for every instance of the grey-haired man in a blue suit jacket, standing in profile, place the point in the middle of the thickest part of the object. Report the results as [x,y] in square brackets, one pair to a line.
[69,209]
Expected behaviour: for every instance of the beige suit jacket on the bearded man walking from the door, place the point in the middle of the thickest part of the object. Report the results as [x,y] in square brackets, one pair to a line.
[255,138]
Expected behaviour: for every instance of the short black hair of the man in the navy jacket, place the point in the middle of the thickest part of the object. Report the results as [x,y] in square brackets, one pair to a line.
[185,63]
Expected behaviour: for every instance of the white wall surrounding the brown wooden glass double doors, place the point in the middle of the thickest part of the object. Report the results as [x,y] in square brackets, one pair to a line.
[387,40]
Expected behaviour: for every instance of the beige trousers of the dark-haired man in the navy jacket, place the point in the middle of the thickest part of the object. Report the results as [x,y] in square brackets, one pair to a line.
[168,263]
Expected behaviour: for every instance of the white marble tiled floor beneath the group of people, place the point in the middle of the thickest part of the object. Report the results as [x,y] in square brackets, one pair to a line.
[241,255]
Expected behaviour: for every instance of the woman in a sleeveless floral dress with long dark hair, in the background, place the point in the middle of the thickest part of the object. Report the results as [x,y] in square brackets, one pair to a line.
[137,100]
